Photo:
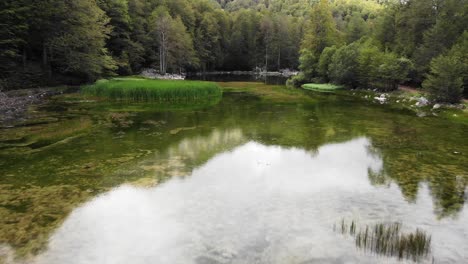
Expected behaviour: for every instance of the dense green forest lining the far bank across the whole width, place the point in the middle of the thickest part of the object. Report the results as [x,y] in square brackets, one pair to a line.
[357,43]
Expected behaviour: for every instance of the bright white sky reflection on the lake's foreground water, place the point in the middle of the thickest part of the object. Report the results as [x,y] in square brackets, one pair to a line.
[254,204]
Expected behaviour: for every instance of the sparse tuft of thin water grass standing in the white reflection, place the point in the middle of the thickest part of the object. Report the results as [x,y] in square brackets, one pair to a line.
[388,239]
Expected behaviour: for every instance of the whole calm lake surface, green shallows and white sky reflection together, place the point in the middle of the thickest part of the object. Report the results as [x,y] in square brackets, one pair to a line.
[253,179]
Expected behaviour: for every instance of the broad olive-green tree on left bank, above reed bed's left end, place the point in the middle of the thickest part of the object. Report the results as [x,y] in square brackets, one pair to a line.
[78,44]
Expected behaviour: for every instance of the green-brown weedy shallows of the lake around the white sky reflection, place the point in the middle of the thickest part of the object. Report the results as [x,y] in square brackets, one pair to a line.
[107,143]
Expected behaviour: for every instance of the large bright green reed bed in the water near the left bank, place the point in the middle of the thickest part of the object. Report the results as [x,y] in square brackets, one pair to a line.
[145,90]
